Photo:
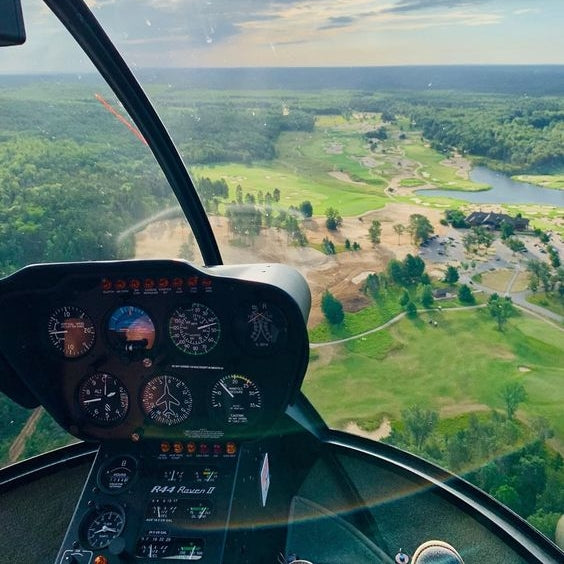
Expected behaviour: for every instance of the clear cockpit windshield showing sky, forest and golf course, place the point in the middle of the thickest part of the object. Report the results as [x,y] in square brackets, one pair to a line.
[406,156]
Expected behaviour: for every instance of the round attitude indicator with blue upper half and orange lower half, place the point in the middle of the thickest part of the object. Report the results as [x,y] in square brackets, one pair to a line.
[131,329]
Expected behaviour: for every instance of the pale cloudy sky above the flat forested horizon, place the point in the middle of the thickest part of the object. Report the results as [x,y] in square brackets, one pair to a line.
[232,33]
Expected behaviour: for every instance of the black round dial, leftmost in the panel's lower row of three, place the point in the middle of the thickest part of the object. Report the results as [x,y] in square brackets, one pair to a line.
[103,398]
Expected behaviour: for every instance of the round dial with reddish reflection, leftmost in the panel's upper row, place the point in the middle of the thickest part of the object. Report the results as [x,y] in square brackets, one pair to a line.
[71,331]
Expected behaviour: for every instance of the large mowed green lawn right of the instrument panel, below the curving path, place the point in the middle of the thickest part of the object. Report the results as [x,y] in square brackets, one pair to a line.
[458,367]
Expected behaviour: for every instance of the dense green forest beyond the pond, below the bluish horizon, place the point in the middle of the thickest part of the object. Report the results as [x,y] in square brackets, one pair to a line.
[515,134]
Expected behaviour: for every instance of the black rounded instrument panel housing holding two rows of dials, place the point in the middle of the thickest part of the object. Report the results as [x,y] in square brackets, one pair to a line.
[156,349]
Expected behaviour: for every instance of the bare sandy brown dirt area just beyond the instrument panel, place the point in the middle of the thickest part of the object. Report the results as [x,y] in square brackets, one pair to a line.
[342,274]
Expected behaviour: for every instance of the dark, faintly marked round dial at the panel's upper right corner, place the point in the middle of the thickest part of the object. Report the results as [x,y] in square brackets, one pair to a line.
[261,327]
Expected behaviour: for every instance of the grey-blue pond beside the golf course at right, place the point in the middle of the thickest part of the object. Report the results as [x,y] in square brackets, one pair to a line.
[504,190]
